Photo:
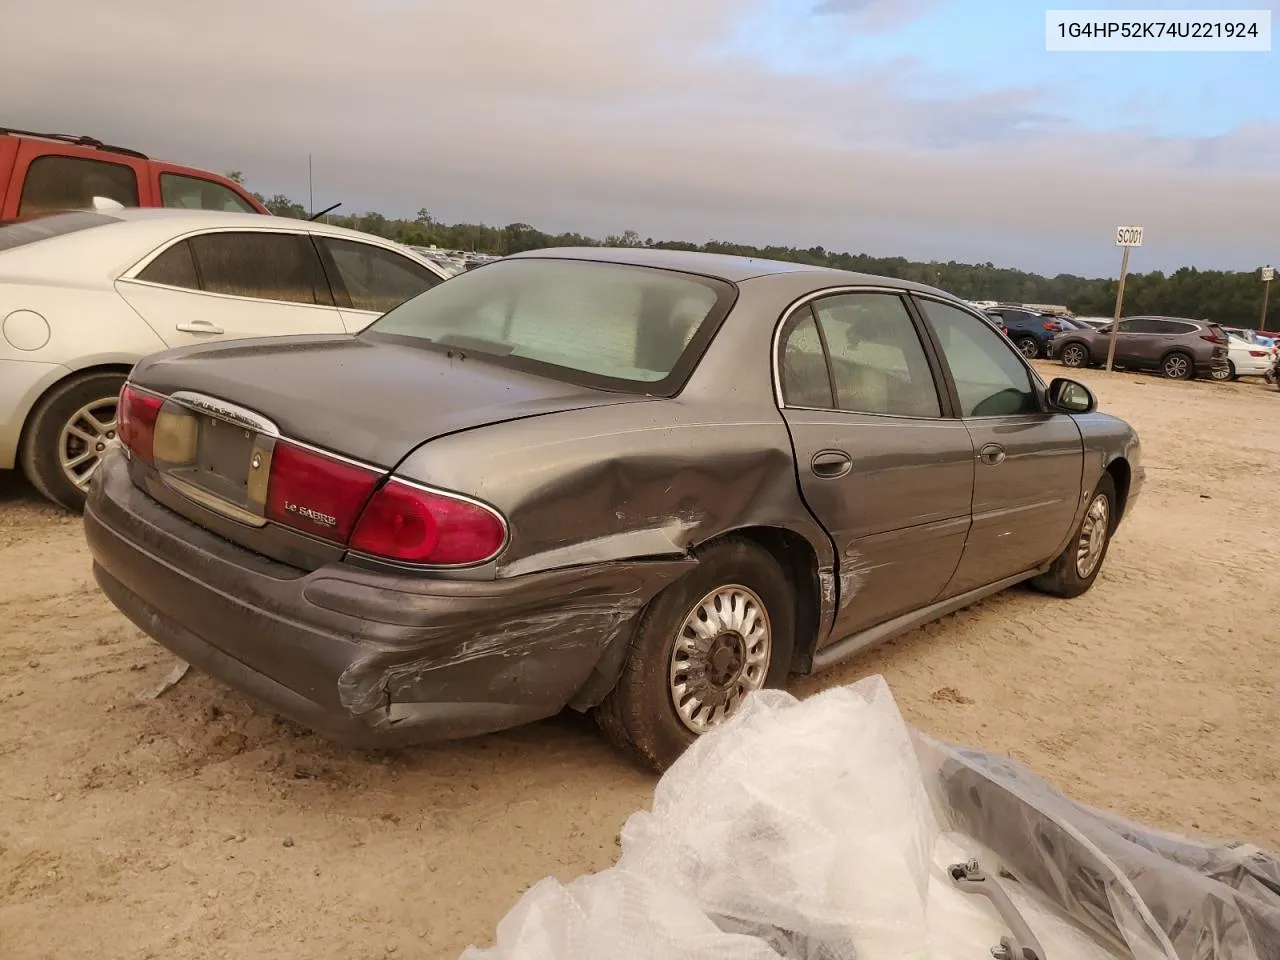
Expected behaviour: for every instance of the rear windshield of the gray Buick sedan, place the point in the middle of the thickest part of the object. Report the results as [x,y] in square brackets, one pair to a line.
[607,326]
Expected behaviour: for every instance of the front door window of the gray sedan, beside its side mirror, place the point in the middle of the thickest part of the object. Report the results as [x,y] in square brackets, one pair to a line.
[990,378]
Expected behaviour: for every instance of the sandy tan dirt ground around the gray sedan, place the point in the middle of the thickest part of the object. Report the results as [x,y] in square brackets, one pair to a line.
[195,826]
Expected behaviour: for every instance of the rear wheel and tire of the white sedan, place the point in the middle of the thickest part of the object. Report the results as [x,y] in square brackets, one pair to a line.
[48,436]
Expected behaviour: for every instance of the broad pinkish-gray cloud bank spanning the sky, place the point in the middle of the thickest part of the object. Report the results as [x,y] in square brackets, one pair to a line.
[579,115]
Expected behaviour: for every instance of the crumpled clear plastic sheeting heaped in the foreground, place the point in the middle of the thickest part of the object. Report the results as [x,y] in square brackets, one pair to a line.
[830,830]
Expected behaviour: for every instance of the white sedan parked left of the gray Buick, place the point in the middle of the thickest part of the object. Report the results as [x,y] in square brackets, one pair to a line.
[86,295]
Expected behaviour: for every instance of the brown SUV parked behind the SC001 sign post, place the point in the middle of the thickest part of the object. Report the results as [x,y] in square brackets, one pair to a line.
[1178,348]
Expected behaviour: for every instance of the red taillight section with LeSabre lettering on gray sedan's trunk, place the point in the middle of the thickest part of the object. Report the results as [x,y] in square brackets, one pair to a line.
[316,493]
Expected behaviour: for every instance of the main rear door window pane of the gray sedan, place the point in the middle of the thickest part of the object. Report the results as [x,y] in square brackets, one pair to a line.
[877,362]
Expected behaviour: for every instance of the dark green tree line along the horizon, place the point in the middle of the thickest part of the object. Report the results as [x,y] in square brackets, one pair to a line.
[1232,299]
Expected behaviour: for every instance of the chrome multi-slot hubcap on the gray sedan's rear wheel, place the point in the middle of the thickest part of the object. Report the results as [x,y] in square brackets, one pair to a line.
[721,653]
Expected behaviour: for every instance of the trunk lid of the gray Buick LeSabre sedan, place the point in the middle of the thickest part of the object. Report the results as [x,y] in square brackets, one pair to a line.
[373,403]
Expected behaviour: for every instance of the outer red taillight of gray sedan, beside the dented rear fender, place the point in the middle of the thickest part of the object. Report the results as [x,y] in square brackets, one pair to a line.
[412,525]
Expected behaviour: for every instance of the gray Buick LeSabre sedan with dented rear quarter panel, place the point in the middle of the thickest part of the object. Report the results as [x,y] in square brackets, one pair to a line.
[632,482]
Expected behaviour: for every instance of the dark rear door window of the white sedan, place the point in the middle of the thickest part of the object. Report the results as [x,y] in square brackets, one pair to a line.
[281,267]
